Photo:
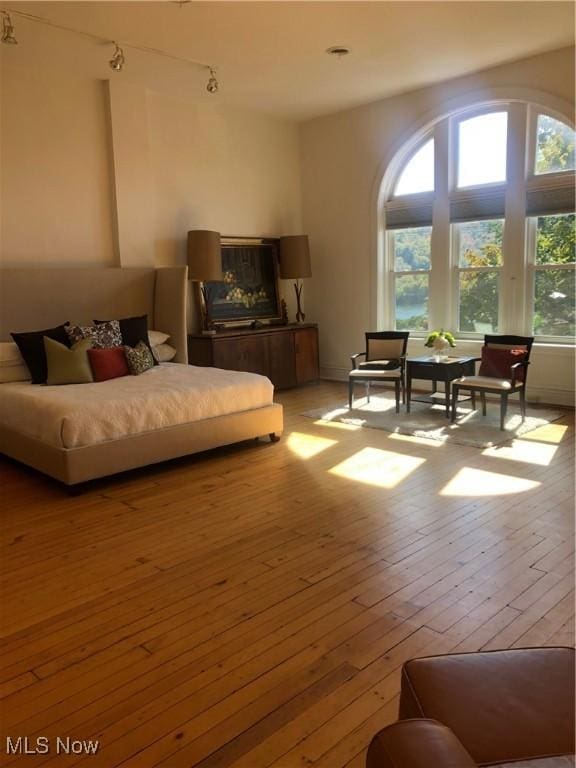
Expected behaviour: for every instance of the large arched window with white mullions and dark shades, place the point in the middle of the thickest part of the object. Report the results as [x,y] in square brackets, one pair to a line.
[484,241]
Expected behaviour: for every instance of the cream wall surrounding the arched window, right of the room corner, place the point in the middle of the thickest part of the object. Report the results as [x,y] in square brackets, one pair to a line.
[344,157]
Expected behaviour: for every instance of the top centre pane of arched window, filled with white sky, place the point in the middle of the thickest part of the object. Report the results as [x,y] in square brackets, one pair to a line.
[482,149]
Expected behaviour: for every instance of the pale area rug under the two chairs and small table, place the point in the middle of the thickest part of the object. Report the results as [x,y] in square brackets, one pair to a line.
[429,421]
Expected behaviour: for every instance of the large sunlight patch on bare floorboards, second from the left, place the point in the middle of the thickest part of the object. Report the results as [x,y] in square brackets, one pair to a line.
[373,466]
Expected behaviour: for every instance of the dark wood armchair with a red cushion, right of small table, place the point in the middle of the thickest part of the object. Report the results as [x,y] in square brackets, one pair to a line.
[503,372]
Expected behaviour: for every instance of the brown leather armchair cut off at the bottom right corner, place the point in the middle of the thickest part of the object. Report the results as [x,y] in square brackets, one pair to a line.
[483,709]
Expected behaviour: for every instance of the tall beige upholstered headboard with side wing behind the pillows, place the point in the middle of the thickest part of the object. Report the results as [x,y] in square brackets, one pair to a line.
[34,298]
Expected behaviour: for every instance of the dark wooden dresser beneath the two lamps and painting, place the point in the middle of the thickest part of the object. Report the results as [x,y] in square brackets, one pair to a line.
[287,354]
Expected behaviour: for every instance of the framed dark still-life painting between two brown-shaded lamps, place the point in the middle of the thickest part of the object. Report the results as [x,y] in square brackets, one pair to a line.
[250,289]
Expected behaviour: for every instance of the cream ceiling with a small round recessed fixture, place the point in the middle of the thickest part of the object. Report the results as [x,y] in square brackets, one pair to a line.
[270,56]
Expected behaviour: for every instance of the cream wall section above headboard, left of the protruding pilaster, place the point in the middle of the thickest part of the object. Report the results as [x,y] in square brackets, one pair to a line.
[55,176]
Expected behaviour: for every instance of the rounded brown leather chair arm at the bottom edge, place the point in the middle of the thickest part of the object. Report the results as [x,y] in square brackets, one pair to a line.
[419,743]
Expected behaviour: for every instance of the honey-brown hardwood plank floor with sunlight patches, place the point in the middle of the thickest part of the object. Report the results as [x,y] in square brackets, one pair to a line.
[252,607]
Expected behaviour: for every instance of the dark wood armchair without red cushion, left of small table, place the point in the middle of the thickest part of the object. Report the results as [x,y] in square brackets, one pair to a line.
[383,361]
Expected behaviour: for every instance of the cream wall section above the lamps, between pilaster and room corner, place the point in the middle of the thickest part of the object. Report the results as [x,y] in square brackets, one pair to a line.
[218,168]
